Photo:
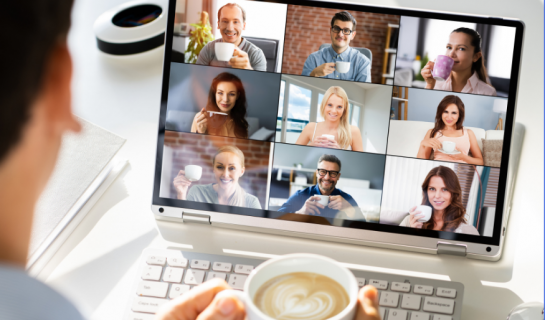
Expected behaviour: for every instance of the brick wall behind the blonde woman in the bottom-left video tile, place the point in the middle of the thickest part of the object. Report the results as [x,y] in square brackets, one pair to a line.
[198,149]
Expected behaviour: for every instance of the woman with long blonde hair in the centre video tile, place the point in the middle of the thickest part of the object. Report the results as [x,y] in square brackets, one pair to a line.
[335,131]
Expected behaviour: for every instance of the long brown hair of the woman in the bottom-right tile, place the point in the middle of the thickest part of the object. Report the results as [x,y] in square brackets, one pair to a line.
[454,213]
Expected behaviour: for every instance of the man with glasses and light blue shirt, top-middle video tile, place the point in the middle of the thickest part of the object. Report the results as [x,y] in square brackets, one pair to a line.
[322,62]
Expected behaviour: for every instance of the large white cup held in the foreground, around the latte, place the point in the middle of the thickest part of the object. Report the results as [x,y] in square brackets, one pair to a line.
[298,262]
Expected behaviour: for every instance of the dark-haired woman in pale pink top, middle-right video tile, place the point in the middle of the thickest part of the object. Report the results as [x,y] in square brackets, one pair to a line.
[449,121]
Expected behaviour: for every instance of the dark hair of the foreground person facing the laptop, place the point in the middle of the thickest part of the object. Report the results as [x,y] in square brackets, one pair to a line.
[29,30]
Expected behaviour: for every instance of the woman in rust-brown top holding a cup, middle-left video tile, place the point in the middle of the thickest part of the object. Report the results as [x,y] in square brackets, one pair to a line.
[225,112]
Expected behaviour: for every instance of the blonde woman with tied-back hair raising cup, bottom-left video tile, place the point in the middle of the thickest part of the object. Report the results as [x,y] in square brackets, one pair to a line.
[228,168]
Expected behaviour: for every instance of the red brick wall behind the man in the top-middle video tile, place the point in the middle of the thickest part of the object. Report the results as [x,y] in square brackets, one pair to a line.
[307,28]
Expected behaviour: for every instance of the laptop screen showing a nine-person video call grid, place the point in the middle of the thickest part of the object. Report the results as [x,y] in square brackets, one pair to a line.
[342,115]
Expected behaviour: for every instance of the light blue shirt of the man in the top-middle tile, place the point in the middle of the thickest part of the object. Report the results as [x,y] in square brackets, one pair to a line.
[360,65]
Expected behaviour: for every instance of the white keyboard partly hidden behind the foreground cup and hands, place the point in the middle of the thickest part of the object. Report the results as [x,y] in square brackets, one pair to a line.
[166,274]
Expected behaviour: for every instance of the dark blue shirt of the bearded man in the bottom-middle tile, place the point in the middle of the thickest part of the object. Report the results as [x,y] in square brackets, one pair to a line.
[296,201]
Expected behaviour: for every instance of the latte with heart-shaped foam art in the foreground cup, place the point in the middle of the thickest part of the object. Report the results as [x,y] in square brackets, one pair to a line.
[301,295]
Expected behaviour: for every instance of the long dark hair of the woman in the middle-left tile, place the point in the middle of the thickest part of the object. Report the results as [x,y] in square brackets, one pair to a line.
[238,113]
